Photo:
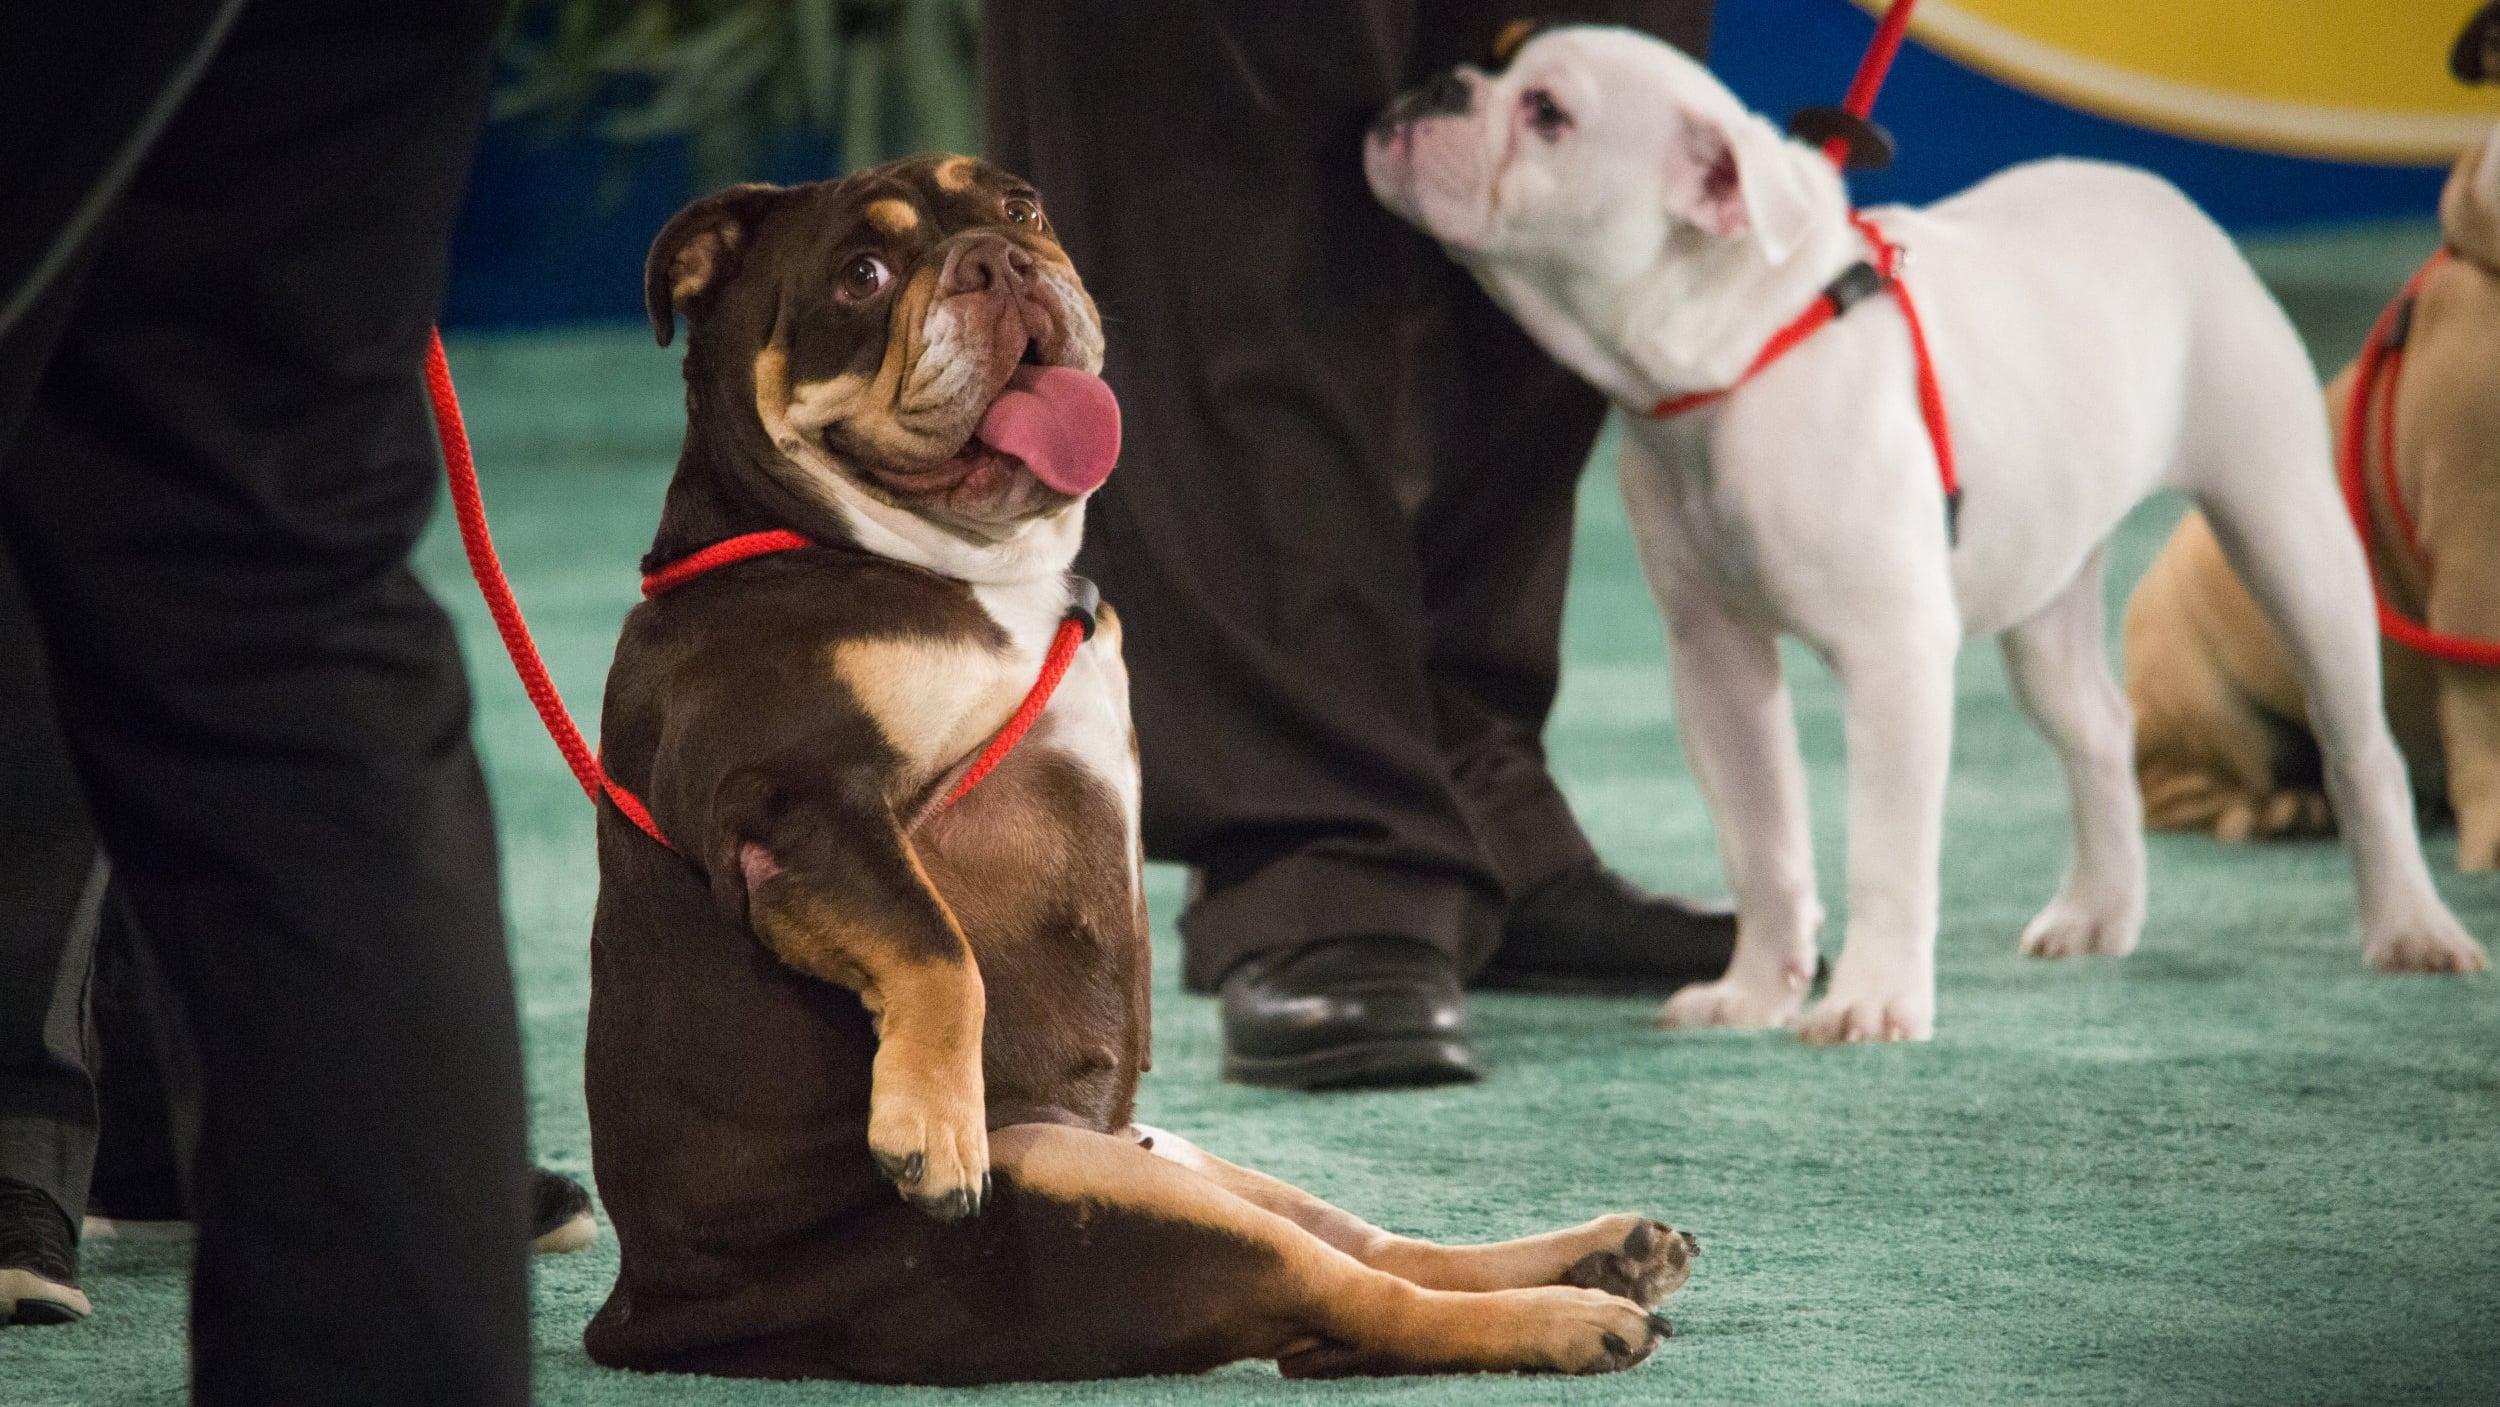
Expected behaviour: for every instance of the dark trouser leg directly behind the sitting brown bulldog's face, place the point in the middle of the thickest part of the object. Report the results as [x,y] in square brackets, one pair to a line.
[1201,166]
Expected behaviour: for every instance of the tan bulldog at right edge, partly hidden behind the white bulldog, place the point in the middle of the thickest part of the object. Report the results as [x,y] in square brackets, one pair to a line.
[2221,733]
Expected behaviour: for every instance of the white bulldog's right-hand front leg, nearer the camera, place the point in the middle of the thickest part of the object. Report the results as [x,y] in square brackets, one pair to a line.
[1899,689]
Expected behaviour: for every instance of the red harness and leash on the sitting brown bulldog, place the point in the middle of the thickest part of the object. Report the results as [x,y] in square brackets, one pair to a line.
[469,509]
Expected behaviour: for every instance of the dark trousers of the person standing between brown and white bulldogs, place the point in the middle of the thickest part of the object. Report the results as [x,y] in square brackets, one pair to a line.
[1341,524]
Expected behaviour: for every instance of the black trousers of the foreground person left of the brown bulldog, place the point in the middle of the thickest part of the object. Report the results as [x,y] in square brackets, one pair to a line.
[221,256]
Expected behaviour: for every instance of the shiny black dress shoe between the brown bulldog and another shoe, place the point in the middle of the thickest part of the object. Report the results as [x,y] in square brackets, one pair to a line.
[1346,1013]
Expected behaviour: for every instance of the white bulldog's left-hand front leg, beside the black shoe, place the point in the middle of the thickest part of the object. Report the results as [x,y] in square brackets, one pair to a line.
[1741,738]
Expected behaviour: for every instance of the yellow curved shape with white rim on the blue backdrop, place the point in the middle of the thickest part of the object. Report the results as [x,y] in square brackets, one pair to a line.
[2356,81]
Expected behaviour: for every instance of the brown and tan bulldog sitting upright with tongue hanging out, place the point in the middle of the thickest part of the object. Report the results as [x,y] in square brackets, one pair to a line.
[861,1066]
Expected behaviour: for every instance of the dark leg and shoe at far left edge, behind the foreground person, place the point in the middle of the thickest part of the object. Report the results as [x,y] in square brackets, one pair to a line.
[51,888]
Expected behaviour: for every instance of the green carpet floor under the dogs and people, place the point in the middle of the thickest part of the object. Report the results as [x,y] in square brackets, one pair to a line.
[2234,1168]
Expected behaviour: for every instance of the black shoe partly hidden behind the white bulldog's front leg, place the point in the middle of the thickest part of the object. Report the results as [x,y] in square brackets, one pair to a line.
[1594,931]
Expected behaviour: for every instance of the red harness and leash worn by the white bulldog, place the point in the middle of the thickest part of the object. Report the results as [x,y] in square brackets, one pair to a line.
[1859,281]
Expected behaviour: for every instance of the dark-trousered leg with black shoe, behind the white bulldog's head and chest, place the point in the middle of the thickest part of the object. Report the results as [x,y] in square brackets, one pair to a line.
[1506,434]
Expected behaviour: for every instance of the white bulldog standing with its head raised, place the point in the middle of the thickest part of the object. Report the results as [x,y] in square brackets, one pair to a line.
[2096,339]
